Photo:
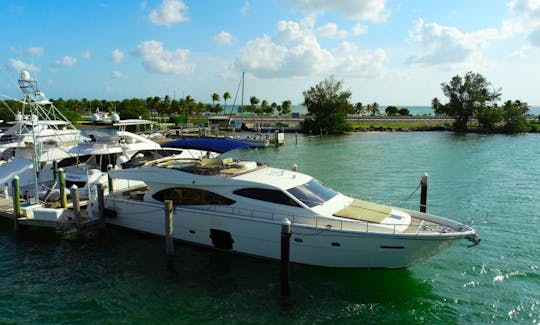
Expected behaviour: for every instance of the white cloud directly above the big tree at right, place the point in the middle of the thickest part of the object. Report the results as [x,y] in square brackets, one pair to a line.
[443,45]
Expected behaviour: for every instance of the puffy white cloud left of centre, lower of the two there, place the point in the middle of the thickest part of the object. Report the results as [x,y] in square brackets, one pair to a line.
[156,59]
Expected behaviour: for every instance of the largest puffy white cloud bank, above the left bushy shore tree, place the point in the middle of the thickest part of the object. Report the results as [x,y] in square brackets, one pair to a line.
[295,51]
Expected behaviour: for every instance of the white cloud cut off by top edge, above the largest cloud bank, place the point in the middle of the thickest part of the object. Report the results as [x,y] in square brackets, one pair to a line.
[369,10]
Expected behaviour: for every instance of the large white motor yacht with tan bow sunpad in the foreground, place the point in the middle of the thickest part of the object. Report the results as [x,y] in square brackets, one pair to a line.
[239,206]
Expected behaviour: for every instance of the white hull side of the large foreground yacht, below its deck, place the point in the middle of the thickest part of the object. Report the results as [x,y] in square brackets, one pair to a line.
[319,246]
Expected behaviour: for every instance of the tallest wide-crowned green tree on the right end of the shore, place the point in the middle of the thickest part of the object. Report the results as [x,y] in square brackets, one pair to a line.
[467,97]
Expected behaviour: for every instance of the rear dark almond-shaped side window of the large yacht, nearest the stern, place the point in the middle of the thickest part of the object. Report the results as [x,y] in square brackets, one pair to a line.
[191,196]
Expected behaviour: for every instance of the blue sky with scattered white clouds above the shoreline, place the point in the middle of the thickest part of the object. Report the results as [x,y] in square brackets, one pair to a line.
[392,52]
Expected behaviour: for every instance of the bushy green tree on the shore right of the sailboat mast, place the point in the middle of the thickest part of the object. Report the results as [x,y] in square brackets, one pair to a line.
[328,104]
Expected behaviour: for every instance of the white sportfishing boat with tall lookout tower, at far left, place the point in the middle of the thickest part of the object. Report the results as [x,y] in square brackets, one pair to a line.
[40,135]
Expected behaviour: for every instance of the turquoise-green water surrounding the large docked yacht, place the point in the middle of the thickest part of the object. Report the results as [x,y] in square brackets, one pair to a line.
[492,182]
